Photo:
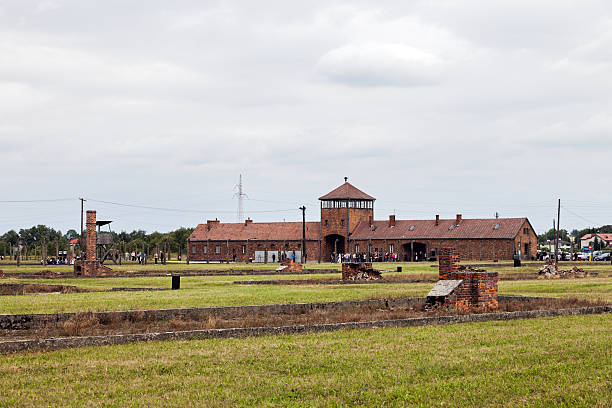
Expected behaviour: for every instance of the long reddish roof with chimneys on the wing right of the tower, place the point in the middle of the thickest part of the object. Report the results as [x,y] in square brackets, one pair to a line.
[508,228]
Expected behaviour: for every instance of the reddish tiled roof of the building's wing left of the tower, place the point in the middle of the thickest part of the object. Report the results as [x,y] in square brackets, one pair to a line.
[259,231]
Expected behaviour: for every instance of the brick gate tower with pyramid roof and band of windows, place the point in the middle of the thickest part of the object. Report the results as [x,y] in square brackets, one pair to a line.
[342,209]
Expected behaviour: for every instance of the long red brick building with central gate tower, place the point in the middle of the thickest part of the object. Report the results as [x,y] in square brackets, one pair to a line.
[347,225]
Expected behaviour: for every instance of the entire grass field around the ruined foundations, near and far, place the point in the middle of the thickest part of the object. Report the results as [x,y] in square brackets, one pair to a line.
[564,361]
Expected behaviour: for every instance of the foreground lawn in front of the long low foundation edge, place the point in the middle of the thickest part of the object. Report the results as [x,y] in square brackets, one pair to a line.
[563,361]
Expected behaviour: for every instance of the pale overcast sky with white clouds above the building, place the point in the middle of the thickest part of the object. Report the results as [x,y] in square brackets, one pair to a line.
[432,107]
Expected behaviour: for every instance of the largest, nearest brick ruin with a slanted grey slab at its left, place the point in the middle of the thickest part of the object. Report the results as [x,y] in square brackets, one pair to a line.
[463,289]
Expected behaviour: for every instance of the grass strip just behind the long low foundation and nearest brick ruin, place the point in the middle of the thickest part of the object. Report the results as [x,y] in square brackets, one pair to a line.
[220,291]
